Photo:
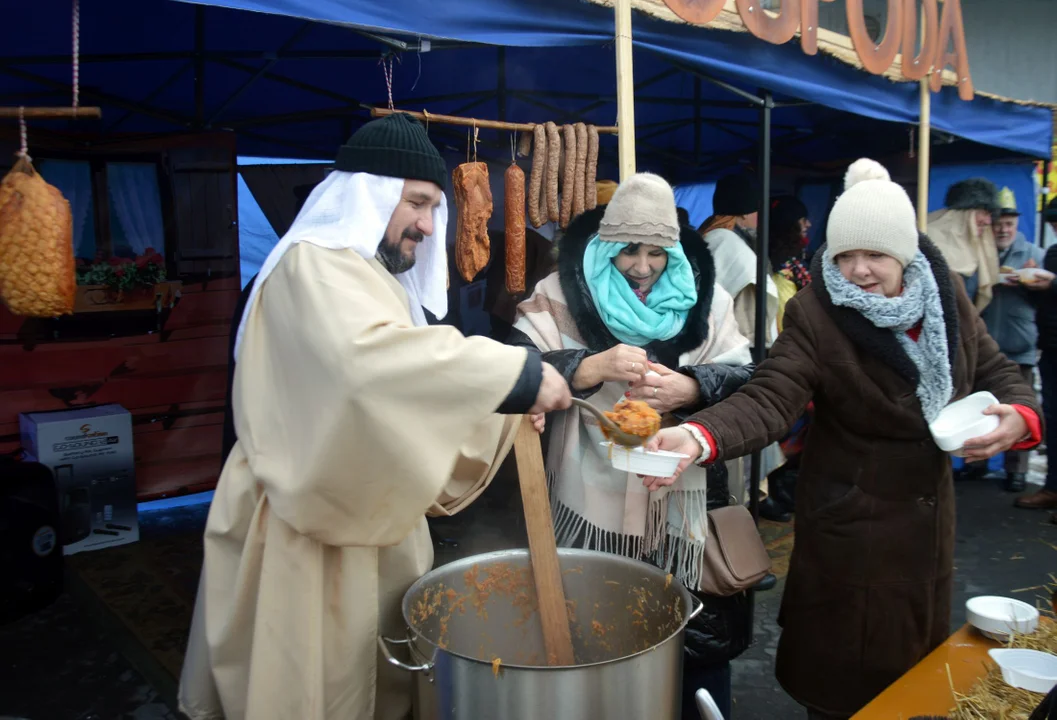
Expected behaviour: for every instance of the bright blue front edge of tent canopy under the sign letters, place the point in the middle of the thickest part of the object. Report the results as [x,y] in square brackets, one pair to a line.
[737,58]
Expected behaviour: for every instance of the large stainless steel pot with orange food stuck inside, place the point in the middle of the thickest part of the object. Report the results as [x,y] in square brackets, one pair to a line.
[627,621]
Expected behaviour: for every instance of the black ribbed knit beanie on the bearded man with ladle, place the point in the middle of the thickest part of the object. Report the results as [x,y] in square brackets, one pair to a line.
[395,146]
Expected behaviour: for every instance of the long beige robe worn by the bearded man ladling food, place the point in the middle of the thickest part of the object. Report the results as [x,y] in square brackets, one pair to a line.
[353,426]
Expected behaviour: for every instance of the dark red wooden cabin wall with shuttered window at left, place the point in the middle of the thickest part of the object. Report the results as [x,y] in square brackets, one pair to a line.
[162,353]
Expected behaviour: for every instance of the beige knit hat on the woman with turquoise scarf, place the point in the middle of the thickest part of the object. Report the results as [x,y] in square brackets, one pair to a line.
[642,212]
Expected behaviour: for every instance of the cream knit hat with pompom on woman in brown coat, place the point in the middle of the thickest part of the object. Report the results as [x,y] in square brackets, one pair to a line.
[874,213]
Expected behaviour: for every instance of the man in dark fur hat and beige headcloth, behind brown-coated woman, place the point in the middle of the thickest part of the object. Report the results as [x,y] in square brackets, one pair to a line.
[962,231]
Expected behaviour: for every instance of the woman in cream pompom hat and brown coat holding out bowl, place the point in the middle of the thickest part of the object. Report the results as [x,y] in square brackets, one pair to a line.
[883,340]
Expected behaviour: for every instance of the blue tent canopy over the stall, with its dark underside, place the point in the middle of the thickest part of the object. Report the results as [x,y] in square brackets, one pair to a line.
[293,88]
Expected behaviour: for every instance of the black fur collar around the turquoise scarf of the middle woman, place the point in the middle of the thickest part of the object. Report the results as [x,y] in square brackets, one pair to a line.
[594,331]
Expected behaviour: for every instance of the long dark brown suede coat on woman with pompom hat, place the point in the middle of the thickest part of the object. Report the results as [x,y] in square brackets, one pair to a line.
[869,587]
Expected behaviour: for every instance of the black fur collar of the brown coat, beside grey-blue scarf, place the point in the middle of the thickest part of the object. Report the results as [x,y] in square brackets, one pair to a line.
[881,343]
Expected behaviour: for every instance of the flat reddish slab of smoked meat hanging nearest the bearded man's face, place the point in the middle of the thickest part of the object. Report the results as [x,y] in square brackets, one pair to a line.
[474,208]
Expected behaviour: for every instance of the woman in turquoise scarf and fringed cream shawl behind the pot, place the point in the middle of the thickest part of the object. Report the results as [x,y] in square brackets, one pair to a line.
[634,311]
